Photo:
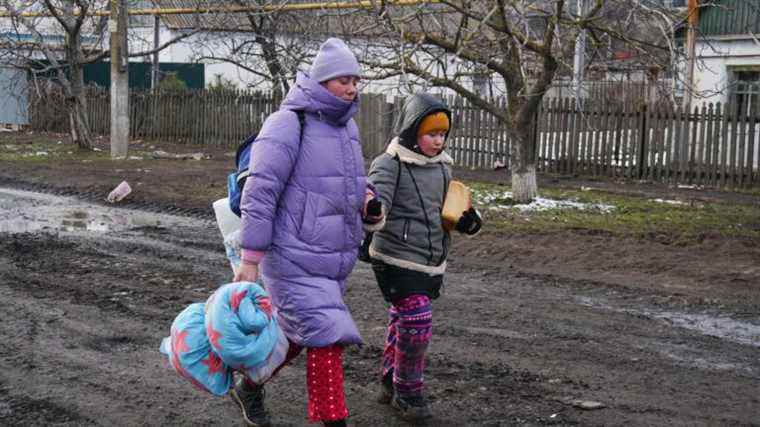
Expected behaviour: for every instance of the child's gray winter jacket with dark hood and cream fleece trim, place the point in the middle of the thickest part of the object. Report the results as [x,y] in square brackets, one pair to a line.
[412,187]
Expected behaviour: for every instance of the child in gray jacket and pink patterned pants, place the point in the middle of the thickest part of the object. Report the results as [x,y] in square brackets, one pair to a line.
[409,252]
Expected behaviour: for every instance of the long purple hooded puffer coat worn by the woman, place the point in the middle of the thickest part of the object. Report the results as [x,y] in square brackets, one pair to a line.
[302,206]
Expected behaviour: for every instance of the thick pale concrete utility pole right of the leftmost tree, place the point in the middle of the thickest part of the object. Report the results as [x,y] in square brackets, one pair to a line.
[117,28]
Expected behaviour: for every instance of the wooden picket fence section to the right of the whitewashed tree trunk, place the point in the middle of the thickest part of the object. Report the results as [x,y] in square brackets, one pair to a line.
[705,146]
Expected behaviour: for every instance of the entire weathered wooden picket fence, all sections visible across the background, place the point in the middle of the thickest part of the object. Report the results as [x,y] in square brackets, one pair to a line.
[707,146]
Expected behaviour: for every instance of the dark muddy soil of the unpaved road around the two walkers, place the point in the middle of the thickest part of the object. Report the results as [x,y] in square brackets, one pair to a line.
[527,324]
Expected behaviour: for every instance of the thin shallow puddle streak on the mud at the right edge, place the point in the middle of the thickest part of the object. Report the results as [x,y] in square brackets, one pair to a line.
[720,326]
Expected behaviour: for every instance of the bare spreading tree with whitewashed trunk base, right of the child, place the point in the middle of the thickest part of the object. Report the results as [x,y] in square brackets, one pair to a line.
[525,44]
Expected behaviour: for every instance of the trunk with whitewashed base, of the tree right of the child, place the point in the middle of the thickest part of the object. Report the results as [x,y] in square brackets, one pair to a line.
[523,164]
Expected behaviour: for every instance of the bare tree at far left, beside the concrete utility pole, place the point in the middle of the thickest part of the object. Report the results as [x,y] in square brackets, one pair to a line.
[59,43]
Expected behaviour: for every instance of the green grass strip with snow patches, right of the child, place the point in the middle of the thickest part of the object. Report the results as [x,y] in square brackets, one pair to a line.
[631,216]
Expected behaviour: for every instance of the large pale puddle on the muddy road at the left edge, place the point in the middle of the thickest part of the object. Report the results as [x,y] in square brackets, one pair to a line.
[24,211]
